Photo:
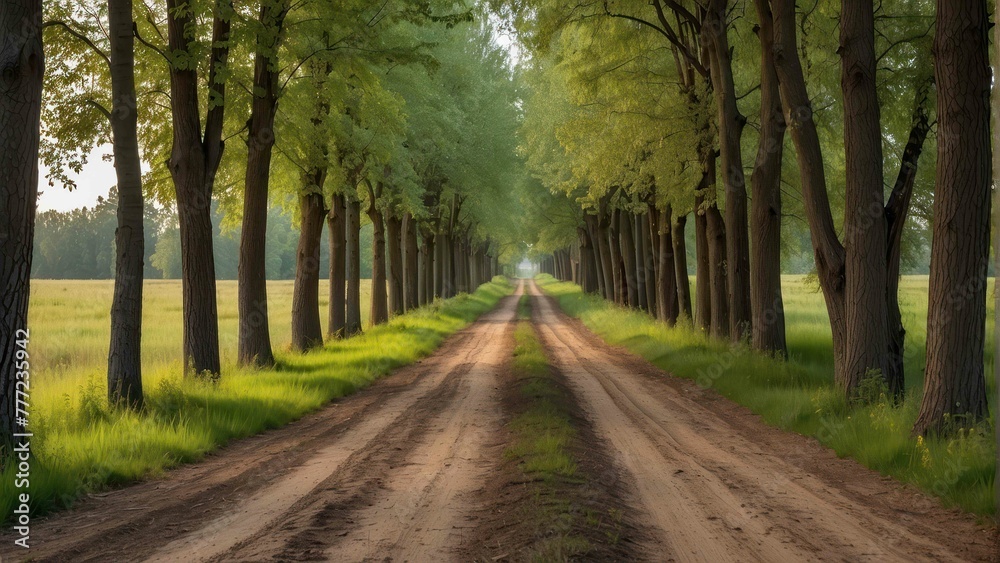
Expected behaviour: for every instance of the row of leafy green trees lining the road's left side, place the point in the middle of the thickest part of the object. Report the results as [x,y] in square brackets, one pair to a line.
[404,110]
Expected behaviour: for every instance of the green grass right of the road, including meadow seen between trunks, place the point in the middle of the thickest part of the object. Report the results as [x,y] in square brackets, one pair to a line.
[800,395]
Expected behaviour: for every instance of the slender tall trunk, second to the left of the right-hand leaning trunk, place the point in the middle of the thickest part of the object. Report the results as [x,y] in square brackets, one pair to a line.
[730,134]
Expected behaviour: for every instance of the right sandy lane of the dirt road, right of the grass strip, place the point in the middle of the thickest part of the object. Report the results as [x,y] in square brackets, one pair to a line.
[716,484]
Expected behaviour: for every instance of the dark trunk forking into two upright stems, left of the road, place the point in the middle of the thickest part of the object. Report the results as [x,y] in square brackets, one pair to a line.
[194,161]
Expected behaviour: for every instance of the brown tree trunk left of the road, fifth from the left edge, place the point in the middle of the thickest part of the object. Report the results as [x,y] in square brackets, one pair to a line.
[307,333]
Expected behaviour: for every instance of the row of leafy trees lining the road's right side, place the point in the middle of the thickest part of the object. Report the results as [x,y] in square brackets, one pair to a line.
[636,123]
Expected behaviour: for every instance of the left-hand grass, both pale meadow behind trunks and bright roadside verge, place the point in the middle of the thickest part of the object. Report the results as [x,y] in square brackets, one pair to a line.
[81,446]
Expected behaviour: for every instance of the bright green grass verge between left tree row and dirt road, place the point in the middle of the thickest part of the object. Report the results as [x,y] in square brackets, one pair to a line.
[81,446]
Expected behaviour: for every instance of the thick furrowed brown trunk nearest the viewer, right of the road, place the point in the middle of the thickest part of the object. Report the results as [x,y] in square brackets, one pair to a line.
[955,384]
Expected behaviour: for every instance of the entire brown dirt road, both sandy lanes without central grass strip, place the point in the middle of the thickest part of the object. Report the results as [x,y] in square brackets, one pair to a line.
[398,472]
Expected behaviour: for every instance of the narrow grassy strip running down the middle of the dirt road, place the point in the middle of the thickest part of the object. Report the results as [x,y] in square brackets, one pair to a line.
[543,443]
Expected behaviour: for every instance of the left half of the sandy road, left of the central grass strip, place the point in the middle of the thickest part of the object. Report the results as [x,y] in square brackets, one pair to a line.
[389,472]
